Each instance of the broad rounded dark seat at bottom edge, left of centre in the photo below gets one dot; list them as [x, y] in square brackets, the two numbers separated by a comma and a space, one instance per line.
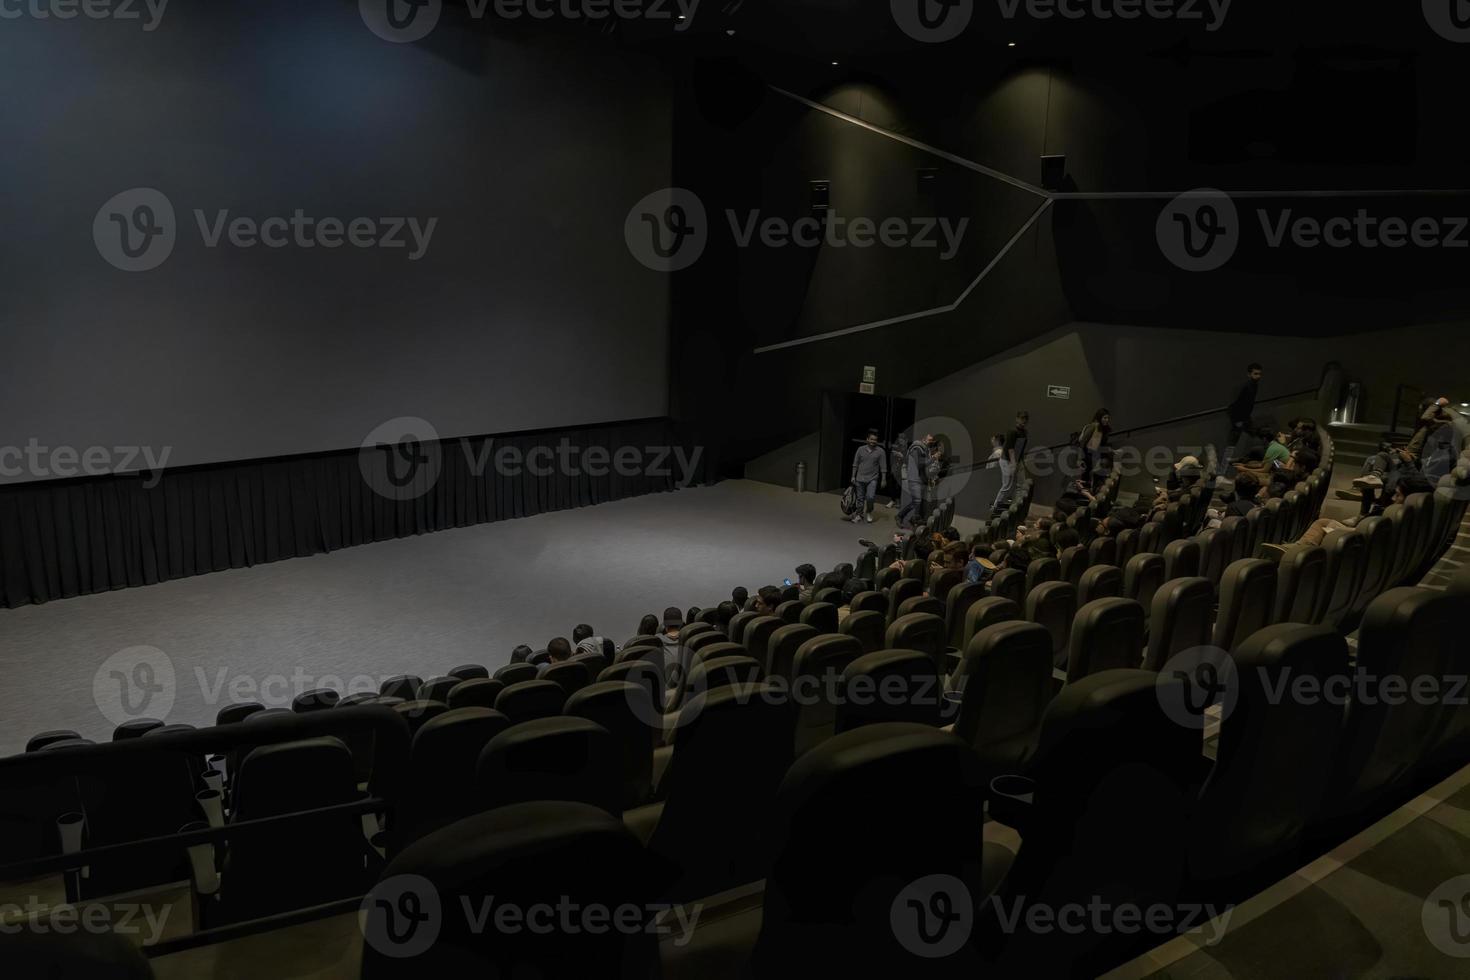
[524, 857]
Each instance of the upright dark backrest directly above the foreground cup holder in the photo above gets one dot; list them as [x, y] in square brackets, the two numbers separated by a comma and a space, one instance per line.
[1005, 684]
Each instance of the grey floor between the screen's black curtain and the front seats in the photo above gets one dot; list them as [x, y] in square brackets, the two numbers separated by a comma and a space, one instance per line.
[412, 606]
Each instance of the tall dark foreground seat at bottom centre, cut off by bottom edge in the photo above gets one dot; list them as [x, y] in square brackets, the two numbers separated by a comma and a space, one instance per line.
[836, 881]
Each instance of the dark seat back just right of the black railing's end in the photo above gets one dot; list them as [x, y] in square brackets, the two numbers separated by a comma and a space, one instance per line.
[440, 785]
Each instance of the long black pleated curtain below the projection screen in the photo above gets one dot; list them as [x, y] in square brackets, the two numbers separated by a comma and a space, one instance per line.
[65, 538]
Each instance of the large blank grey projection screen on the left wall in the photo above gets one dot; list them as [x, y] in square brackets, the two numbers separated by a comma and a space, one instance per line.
[361, 231]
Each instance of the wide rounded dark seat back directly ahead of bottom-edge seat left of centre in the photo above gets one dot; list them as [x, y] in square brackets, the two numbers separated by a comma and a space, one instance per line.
[552, 759]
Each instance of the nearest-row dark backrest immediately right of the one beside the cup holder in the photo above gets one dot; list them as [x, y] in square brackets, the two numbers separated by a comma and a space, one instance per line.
[1259, 799]
